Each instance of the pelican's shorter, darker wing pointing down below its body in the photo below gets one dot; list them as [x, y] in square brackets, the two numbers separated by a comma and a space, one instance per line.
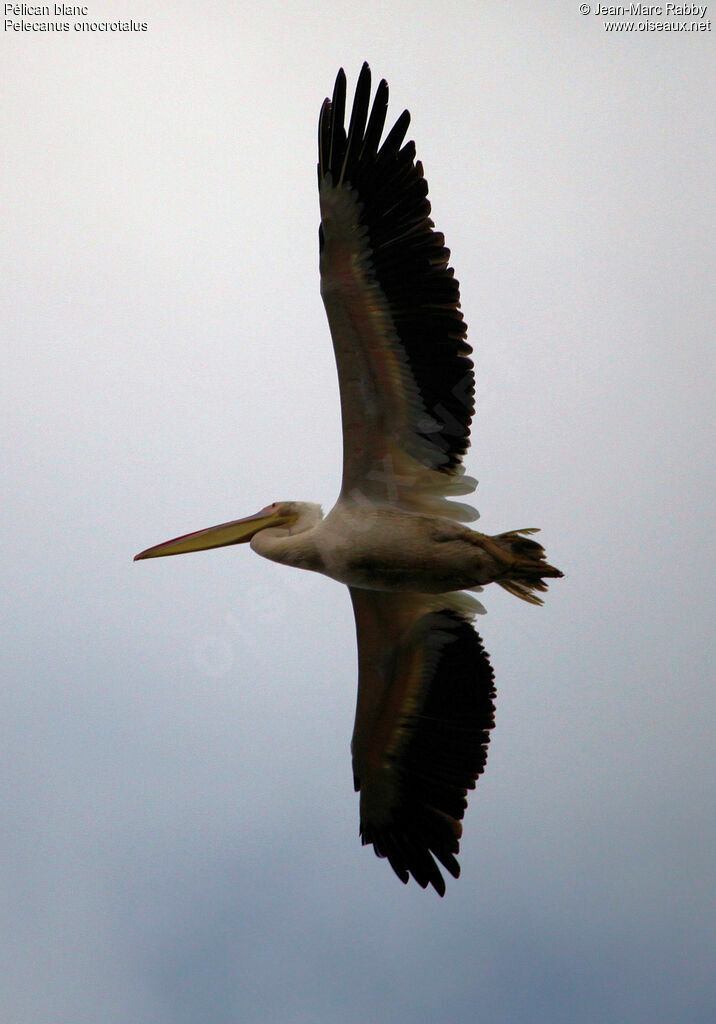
[423, 726]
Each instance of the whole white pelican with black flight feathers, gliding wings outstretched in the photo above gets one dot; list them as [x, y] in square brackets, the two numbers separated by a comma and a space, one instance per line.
[397, 536]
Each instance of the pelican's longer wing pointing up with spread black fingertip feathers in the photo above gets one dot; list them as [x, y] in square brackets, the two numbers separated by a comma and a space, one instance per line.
[406, 378]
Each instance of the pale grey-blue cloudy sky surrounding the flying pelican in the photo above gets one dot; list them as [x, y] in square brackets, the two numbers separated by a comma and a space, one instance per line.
[180, 839]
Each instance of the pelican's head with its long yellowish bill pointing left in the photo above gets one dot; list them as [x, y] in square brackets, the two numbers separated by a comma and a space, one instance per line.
[298, 517]
